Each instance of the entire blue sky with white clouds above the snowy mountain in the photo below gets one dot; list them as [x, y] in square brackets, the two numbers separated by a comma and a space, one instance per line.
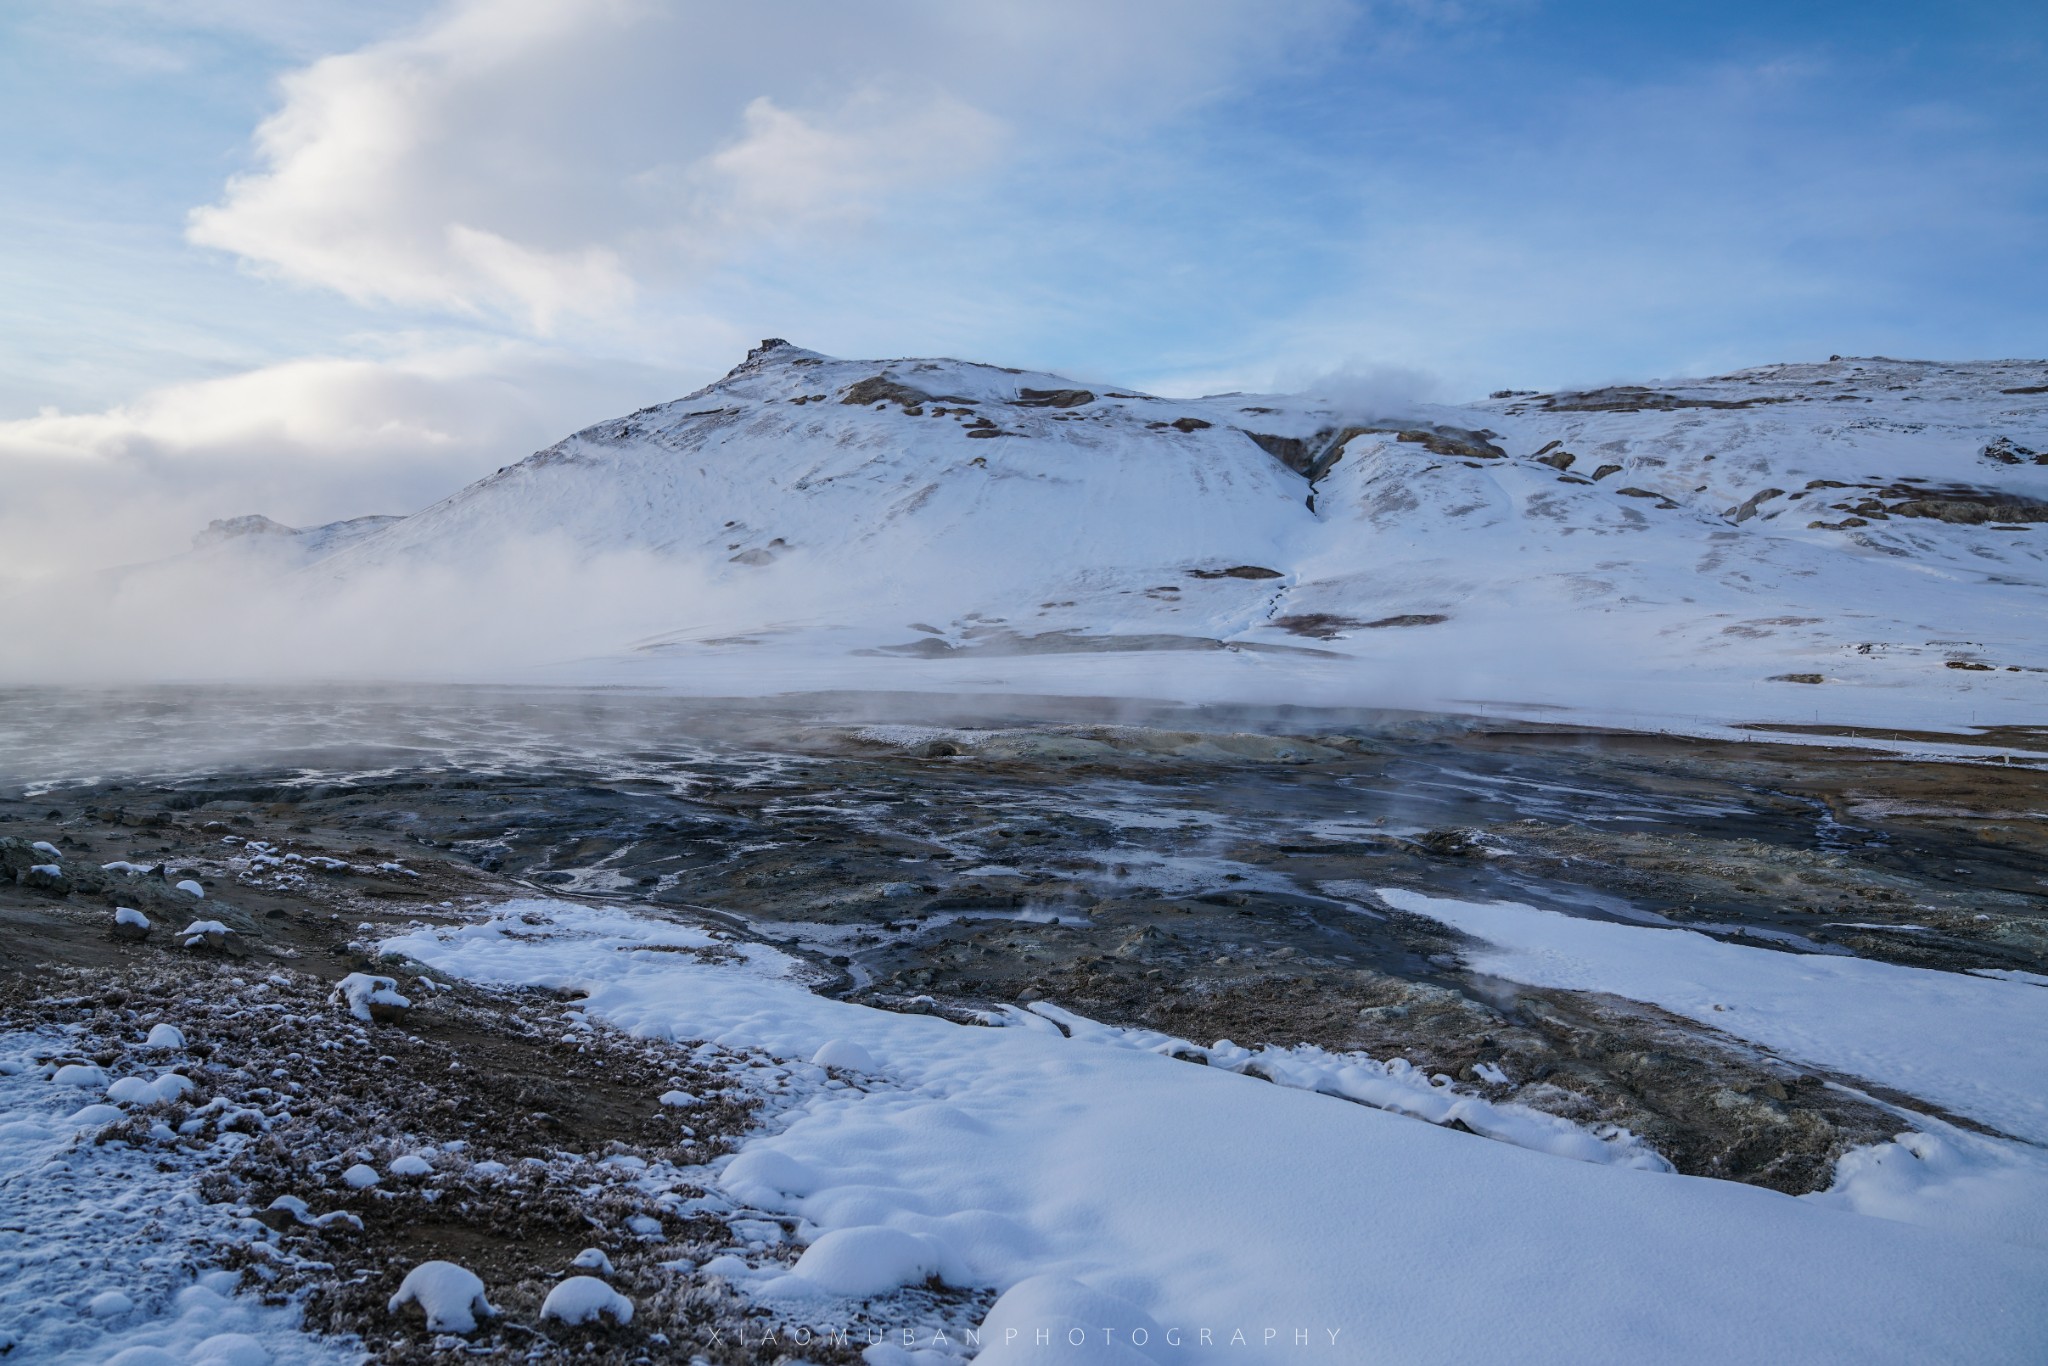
[507, 218]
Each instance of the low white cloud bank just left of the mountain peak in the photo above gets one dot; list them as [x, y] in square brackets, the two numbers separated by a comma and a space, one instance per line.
[306, 441]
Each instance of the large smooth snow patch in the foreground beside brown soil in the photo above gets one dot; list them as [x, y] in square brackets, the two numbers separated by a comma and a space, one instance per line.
[1215, 1201]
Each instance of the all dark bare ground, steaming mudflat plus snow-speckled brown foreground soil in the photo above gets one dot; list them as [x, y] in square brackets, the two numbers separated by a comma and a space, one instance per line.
[1160, 871]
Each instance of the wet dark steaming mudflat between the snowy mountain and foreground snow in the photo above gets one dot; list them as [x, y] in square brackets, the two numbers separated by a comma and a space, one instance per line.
[1168, 869]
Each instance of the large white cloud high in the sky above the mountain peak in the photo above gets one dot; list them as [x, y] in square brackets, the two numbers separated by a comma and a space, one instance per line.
[540, 161]
